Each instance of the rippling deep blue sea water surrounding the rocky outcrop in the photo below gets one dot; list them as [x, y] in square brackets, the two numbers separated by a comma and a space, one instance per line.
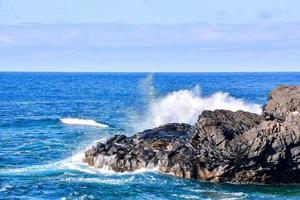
[40, 156]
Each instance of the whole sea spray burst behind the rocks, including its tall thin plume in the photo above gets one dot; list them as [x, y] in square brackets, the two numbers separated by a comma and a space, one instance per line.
[182, 106]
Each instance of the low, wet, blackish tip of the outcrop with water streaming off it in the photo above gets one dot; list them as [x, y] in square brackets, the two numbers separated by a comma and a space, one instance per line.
[143, 150]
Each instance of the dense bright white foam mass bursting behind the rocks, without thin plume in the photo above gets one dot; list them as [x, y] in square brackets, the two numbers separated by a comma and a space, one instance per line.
[184, 106]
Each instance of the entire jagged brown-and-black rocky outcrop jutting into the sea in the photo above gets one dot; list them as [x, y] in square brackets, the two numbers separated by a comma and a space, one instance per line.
[222, 146]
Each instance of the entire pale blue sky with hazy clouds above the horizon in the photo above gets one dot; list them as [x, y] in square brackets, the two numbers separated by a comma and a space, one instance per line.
[149, 35]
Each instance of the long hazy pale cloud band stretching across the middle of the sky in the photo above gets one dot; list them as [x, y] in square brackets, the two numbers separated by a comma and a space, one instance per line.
[117, 36]
